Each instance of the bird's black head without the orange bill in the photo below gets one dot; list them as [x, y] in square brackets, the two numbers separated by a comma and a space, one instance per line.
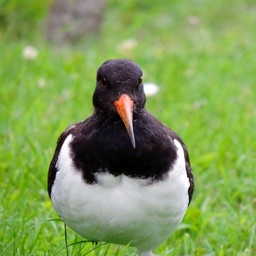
[114, 78]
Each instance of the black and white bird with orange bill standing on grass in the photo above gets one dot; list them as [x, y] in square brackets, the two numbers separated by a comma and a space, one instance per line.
[121, 176]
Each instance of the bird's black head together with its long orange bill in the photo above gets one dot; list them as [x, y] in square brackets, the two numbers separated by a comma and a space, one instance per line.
[119, 89]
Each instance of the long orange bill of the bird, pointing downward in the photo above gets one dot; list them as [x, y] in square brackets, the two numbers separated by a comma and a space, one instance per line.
[124, 107]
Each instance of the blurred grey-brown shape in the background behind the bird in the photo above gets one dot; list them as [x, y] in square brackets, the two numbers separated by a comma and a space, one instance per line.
[73, 20]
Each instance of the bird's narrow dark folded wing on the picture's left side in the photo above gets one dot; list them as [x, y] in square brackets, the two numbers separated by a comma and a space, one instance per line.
[52, 168]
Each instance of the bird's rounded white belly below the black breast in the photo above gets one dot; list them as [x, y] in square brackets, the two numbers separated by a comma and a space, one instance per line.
[120, 209]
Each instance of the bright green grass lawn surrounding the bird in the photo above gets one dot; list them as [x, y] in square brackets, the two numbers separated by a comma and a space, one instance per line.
[207, 79]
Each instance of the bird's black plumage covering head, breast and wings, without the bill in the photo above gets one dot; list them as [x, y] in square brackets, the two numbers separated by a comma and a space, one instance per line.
[101, 142]
